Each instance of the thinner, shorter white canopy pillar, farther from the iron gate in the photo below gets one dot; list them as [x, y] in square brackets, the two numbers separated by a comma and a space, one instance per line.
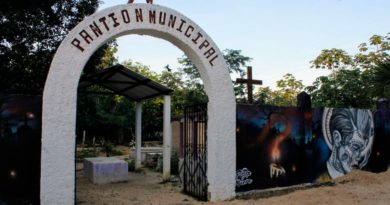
[138, 134]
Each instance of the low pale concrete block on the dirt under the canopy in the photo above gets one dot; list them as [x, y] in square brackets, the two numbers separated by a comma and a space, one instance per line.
[103, 170]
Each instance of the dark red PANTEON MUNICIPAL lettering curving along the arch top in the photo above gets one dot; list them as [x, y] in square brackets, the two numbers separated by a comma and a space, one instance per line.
[153, 17]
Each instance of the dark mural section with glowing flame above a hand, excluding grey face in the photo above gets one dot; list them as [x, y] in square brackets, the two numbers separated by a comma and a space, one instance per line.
[279, 146]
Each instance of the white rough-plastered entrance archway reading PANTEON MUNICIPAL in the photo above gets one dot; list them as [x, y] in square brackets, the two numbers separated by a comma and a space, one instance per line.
[60, 93]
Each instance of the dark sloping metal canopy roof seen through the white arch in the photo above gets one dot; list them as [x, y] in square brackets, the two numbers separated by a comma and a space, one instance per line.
[123, 81]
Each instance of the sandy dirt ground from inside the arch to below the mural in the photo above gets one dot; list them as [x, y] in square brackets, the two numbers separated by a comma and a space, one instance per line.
[145, 188]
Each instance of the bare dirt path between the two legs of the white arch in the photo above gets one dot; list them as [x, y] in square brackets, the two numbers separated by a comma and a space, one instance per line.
[142, 188]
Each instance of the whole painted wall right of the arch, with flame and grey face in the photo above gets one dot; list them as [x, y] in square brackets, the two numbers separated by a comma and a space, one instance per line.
[283, 146]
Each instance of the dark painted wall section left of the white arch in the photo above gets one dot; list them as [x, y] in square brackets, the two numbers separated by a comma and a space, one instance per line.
[20, 148]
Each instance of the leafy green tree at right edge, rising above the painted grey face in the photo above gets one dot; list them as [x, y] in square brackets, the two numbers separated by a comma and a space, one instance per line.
[357, 80]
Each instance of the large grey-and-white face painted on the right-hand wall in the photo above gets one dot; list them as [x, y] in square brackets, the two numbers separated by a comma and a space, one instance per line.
[349, 134]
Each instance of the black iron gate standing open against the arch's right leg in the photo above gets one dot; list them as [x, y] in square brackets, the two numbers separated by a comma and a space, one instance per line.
[195, 151]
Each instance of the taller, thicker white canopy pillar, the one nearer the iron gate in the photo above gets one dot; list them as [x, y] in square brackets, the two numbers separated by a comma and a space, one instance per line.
[167, 135]
